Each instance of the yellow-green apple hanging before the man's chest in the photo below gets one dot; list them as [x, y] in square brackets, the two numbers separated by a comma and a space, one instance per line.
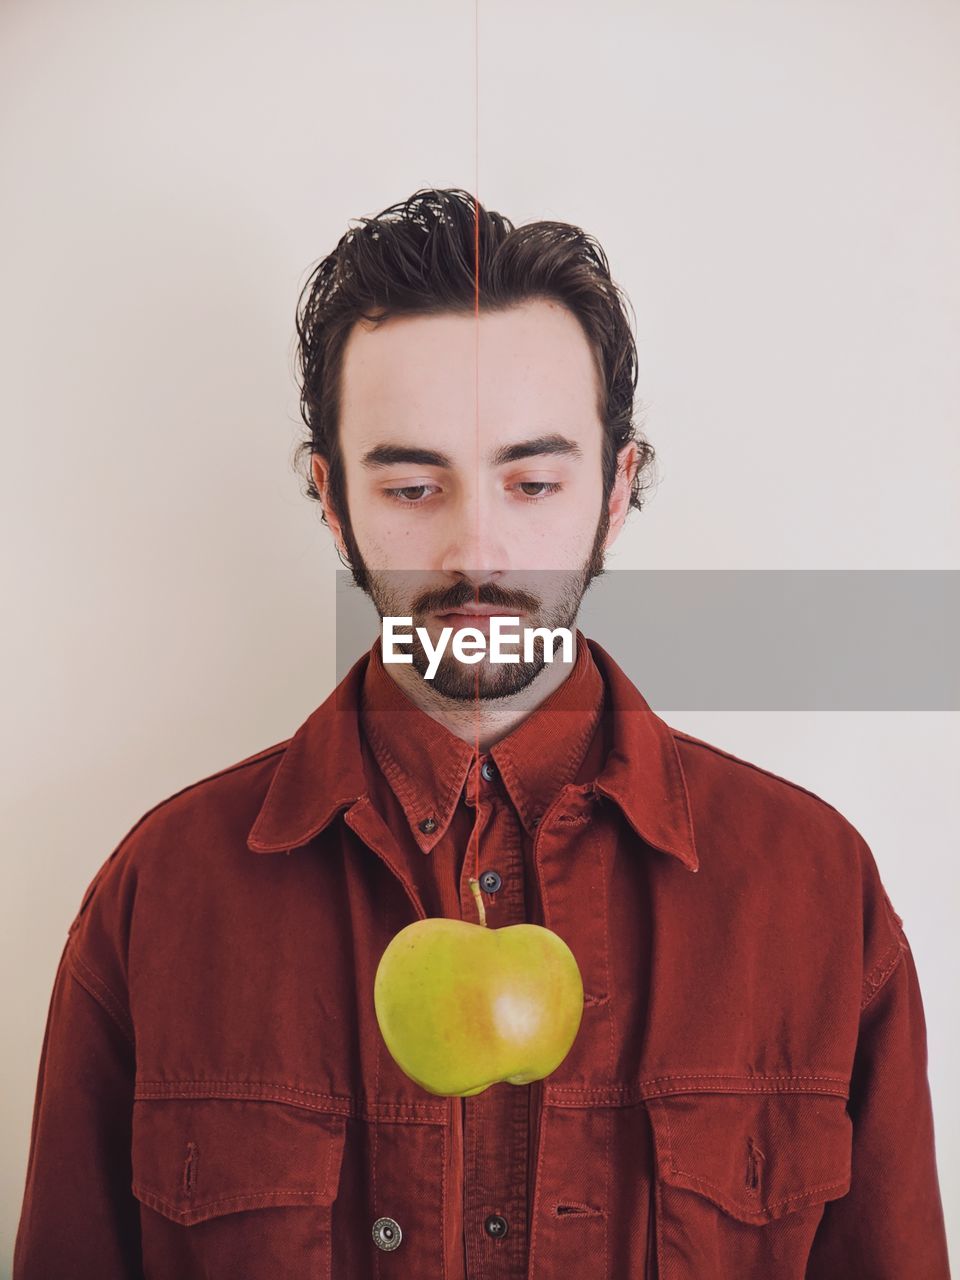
[463, 1007]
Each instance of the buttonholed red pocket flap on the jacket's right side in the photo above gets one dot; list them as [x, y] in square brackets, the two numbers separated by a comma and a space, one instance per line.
[757, 1156]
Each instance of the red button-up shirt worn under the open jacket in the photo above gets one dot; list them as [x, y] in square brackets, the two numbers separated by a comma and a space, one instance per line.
[420, 774]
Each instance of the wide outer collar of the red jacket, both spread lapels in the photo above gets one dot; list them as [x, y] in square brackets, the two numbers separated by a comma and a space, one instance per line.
[322, 770]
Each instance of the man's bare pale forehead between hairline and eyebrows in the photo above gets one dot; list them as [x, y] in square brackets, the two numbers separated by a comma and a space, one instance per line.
[528, 367]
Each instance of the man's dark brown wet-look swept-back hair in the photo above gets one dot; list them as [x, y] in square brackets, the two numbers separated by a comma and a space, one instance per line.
[442, 252]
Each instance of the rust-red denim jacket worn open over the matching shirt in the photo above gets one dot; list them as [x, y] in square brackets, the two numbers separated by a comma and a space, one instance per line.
[747, 1098]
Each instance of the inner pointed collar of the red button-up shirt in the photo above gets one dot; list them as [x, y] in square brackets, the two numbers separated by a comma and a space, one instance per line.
[428, 766]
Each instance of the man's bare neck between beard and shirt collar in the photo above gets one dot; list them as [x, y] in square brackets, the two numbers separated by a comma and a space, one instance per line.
[488, 720]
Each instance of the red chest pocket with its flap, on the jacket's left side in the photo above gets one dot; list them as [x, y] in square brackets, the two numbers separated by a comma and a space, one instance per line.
[236, 1188]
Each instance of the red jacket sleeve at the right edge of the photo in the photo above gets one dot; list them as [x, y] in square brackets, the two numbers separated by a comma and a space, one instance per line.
[890, 1226]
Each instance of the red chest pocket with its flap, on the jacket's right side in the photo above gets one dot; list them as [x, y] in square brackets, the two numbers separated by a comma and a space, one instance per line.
[743, 1182]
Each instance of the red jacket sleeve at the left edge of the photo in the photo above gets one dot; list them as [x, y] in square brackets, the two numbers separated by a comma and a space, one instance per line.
[80, 1218]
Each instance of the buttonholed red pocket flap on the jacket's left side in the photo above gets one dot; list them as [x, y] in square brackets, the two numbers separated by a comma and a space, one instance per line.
[196, 1159]
